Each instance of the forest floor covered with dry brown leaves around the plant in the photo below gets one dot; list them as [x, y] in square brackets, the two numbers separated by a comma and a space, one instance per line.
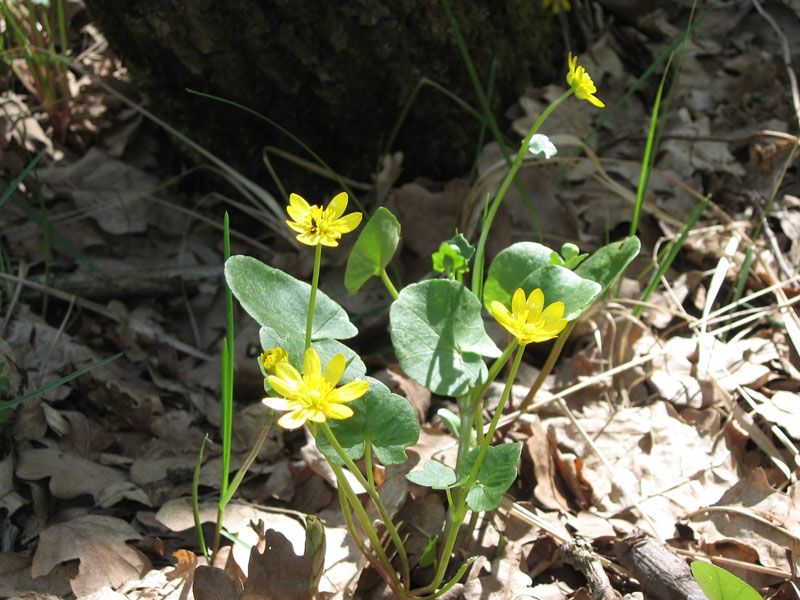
[679, 426]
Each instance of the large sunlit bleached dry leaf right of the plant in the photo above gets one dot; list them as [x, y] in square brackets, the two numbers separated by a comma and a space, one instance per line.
[665, 464]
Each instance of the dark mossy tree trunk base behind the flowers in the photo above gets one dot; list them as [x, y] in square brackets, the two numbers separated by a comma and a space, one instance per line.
[334, 74]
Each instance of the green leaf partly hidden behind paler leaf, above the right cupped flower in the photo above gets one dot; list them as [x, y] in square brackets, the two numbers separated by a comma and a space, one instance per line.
[510, 268]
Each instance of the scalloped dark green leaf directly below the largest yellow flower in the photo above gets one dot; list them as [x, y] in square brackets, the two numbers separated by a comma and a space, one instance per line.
[384, 419]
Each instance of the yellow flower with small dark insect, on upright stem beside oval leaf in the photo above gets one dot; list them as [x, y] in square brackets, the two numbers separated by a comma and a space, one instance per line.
[316, 225]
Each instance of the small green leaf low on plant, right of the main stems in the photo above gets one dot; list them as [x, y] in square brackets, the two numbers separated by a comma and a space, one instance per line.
[495, 475]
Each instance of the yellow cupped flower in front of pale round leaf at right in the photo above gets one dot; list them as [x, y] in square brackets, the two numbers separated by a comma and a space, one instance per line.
[528, 320]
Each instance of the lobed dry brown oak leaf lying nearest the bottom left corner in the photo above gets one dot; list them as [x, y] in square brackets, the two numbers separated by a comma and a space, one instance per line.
[98, 541]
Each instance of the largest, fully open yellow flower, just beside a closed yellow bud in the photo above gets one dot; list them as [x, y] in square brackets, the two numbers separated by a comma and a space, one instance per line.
[313, 396]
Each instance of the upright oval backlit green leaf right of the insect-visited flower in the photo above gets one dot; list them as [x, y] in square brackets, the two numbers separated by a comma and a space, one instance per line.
[373, 249]
